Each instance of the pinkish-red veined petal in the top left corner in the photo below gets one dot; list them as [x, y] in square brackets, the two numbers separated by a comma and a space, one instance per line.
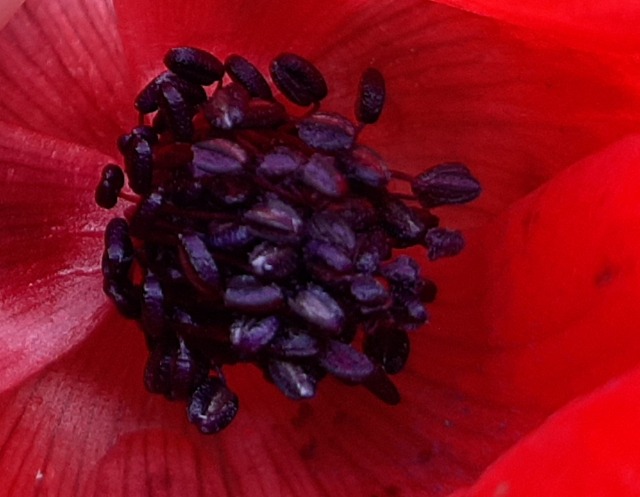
[62, 72]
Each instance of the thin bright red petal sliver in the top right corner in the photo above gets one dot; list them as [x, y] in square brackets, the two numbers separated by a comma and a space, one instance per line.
[595, 25]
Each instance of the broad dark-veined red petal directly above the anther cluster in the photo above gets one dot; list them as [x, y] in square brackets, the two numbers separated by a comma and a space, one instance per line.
[460, 87]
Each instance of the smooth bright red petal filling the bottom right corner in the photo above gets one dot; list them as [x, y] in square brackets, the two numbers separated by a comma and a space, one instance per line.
[588, 449]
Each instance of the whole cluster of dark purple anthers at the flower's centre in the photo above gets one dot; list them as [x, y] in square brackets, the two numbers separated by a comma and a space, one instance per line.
[256, 236]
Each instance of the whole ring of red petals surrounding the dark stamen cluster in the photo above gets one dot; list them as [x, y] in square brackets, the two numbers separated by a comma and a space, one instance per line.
[538, 315]
